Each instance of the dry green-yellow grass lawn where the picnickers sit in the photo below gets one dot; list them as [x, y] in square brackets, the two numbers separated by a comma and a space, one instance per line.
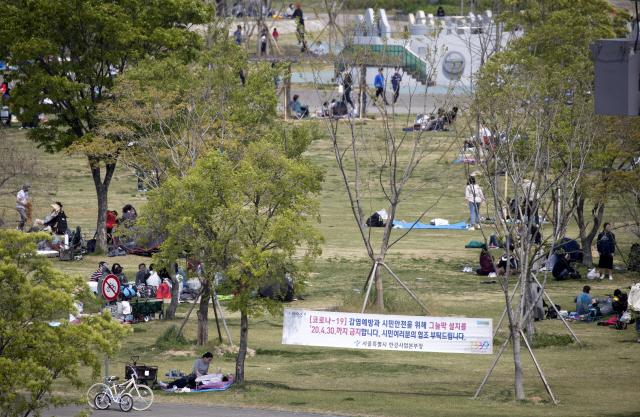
[597, 379]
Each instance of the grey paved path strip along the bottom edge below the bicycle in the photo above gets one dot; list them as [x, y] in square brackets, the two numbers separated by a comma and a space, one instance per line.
[173, 410]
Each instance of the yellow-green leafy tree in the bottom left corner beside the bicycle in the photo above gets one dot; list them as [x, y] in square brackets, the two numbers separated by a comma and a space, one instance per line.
[33, 354]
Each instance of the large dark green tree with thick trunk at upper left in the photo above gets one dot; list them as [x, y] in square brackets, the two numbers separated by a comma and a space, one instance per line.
[66, 52]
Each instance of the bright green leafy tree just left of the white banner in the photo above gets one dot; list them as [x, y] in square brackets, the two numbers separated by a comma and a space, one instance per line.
[243, 215]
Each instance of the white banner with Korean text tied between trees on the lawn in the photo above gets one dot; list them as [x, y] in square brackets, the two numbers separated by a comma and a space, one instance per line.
[377, 331]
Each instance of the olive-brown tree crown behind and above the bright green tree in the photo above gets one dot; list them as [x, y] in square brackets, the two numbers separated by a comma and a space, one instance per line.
[172, 113]
